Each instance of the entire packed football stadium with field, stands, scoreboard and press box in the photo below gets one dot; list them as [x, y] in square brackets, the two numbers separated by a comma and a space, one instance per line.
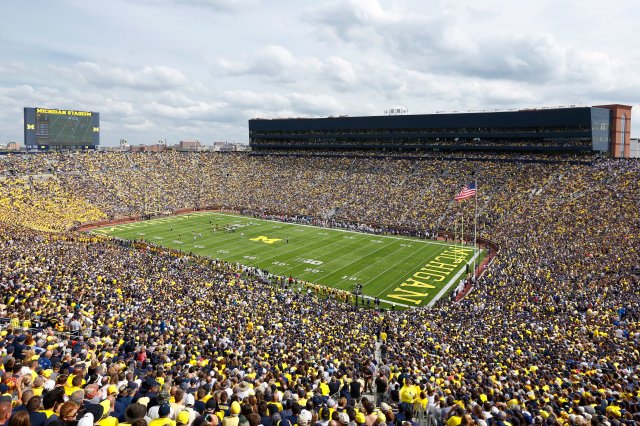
[427, 270]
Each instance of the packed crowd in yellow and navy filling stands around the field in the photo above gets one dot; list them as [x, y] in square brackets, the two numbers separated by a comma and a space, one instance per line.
[549, 335]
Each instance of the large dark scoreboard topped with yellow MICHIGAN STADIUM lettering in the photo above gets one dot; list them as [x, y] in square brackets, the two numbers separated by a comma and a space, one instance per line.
[54, 129]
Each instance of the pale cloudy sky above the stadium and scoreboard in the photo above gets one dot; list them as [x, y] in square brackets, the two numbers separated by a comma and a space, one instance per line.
[199, 69]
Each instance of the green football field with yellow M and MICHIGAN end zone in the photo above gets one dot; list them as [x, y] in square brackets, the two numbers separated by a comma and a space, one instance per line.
[404, 271]
